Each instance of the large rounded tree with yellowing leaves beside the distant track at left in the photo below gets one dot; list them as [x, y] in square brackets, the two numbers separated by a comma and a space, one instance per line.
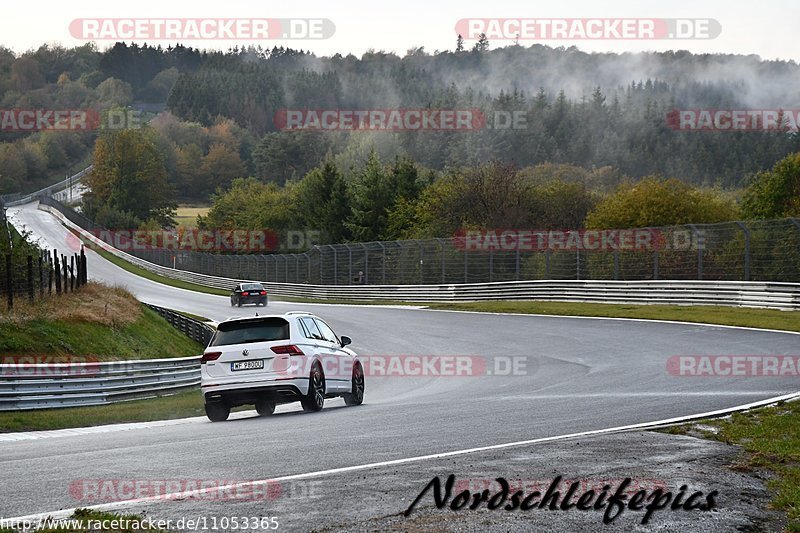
[129, 176]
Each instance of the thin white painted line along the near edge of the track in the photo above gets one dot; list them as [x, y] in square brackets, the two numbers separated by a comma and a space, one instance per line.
[65, 513]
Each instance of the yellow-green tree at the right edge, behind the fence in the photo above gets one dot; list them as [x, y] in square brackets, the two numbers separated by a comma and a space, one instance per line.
[775, 193]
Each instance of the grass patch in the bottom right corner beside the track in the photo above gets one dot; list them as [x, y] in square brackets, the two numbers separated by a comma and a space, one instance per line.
[770, 440]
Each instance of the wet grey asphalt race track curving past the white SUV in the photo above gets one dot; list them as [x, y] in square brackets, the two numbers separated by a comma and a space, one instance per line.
[580, 375]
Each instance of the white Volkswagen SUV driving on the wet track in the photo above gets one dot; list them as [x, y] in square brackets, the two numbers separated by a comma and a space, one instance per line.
[272, 359]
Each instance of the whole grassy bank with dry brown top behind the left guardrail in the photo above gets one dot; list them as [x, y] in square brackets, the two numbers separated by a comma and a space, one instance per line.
[106, 323]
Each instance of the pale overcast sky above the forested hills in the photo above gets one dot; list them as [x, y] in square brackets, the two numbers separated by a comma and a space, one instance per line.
[767, 28]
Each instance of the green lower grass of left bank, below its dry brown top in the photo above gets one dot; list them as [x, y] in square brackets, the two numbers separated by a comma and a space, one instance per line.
[148, 337]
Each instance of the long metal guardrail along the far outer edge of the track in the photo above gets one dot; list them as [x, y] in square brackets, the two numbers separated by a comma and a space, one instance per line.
[684, 292]
